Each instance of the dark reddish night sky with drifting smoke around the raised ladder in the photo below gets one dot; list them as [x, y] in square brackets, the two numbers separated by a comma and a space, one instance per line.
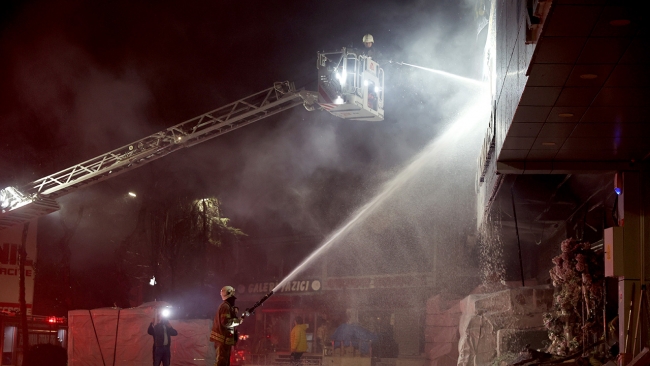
[80, 78]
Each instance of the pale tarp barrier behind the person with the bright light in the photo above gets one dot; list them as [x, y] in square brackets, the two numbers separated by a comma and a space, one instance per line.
[118, 337]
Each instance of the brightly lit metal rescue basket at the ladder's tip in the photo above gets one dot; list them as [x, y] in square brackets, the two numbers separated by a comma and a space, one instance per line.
[350, 85]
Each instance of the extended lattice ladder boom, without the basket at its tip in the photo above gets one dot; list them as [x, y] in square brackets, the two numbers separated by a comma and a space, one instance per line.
[19, 205]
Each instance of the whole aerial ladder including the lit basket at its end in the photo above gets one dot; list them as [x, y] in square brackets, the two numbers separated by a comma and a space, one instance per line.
[350, 86]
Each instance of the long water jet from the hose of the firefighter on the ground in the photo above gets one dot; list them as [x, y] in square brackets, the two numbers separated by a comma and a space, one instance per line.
[470, 119]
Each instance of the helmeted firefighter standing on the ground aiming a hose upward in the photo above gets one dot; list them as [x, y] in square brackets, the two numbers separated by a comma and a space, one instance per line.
[223, 327]
